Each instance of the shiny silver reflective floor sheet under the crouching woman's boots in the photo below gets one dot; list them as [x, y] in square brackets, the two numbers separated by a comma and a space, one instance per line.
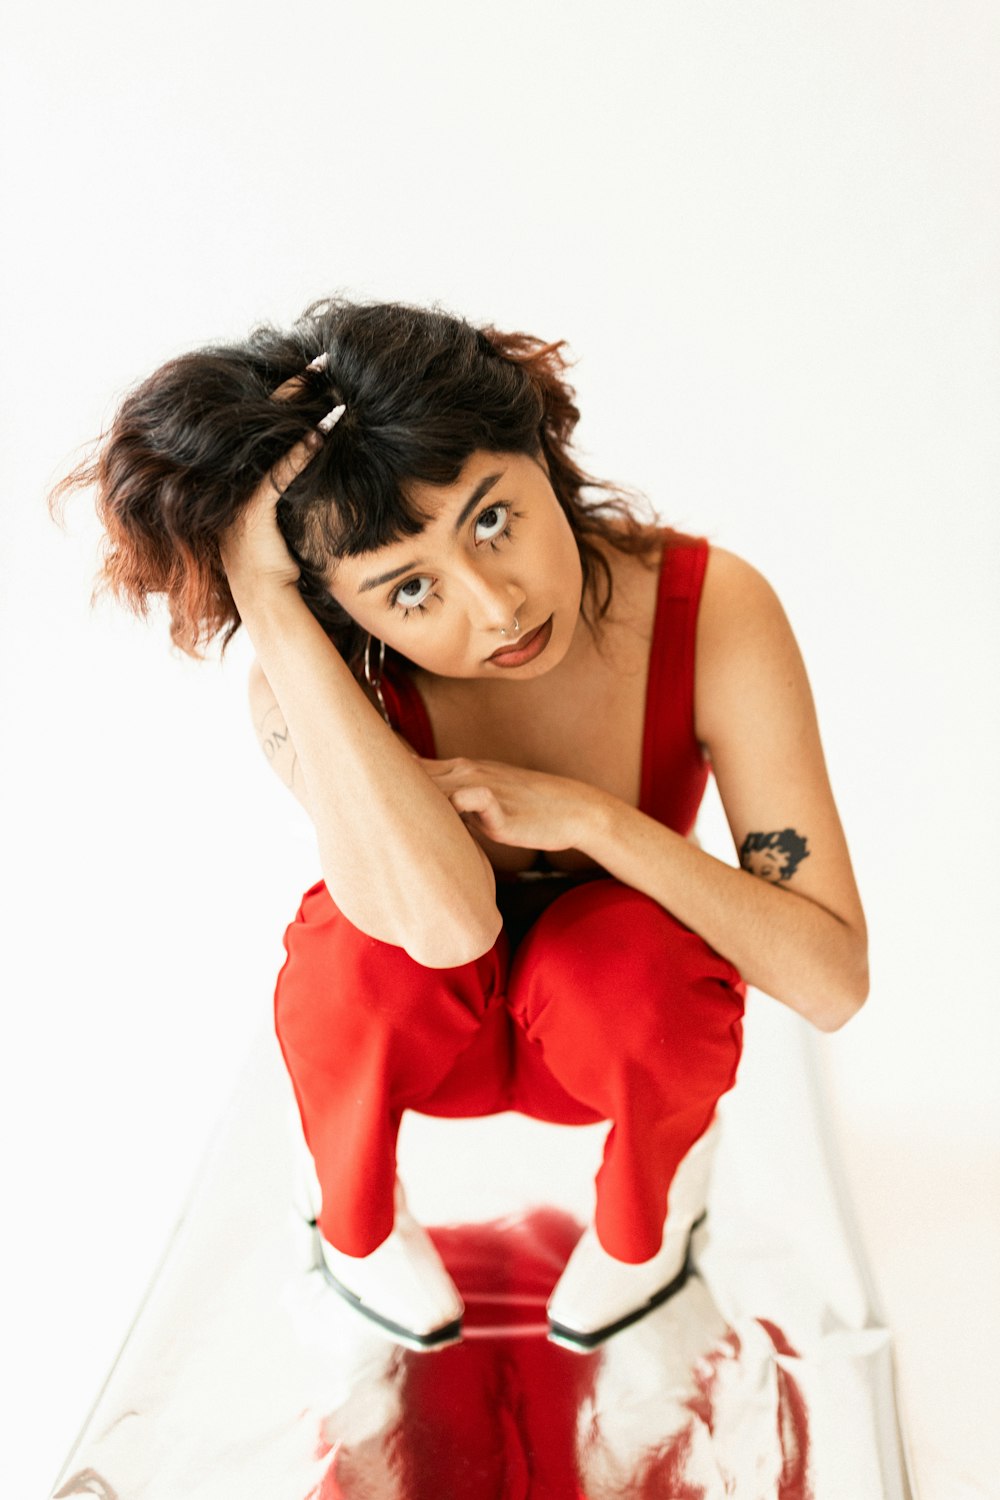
[768, 1375]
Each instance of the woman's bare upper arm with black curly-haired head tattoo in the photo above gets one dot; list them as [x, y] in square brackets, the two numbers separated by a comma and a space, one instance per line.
[755, 713]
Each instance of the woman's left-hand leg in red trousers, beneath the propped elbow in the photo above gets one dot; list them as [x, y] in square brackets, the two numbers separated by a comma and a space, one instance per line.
[367, 1033]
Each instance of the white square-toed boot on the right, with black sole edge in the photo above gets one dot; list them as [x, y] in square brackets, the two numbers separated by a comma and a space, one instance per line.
[599, 1295]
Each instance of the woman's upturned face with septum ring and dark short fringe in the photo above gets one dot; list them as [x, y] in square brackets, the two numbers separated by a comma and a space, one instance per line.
[499, 547]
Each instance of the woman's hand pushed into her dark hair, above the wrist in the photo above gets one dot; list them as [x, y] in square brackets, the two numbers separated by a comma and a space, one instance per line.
[253, 550]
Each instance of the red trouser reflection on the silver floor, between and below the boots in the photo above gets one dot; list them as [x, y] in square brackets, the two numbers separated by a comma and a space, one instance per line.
[494, 1417]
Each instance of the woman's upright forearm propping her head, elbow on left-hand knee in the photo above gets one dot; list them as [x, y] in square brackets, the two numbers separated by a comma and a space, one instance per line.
[395, 856]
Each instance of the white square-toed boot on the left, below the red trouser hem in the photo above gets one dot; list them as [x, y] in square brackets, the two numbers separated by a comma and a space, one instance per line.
[403, 1285]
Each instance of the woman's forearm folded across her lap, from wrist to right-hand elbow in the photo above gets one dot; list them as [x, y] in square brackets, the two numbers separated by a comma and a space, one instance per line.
[782, 943]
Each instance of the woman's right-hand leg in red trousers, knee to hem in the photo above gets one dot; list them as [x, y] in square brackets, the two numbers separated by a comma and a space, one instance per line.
[642, 1022]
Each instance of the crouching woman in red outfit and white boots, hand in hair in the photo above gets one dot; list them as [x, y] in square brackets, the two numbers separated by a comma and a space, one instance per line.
[499, 701]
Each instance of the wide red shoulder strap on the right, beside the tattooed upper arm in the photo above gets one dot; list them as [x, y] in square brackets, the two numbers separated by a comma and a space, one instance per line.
[674, 772]
